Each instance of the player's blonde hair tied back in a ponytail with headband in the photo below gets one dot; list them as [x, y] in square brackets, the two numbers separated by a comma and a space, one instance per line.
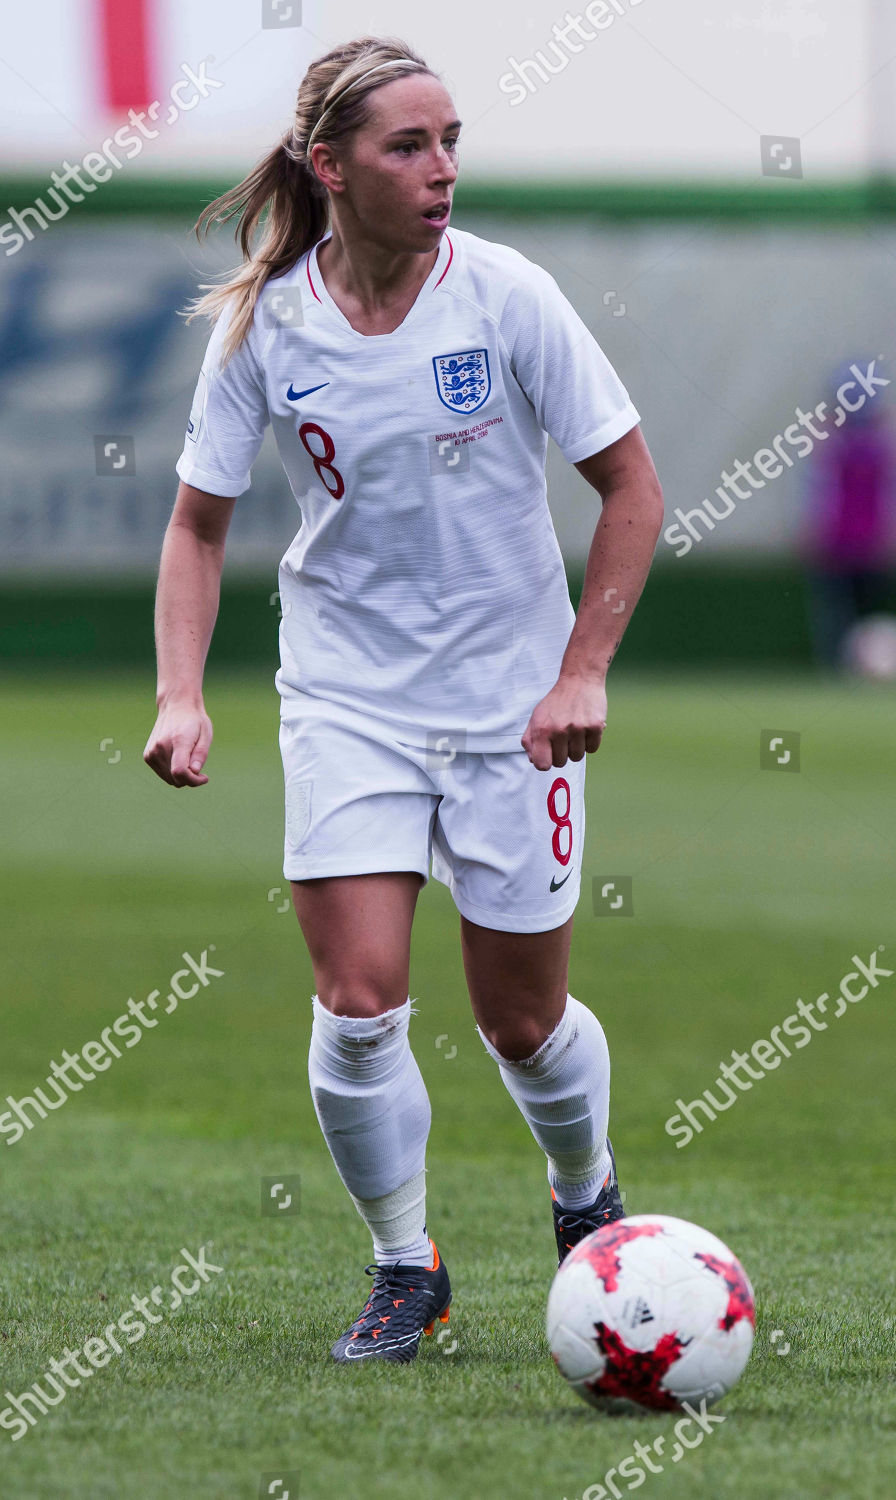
[283, 197]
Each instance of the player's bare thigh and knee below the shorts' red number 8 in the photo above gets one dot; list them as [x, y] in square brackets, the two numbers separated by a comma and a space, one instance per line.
[519, 985]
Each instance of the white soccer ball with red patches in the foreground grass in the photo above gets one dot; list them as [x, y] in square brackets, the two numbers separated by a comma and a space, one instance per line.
[651, 1312]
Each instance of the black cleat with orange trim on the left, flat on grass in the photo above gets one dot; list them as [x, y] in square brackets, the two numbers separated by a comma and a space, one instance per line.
[404, 1303]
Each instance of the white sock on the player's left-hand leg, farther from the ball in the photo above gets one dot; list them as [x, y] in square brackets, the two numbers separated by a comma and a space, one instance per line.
[374, 1111]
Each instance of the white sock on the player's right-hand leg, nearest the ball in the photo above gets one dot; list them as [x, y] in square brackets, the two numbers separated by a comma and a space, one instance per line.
[564, 1094]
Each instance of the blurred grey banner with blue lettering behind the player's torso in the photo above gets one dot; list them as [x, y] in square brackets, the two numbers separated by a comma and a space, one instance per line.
[98, 371]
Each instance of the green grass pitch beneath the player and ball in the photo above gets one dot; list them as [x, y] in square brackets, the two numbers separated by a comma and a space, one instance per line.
[753, 889]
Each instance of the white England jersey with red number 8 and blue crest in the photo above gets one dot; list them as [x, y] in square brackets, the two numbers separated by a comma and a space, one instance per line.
[425, 586]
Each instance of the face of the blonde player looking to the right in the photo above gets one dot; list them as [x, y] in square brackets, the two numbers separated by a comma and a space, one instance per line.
[403, 164]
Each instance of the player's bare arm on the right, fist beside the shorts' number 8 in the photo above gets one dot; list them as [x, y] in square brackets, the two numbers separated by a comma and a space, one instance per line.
[571, 719]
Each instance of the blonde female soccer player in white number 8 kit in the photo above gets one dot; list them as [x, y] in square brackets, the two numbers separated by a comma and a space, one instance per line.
[439, 694]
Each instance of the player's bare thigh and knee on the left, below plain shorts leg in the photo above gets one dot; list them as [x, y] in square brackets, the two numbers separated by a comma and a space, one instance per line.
[358, 929]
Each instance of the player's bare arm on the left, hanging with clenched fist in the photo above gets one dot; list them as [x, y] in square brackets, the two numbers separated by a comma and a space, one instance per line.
[187, 607]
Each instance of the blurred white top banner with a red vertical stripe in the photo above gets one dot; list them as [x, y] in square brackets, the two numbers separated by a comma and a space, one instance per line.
[592, 89]
